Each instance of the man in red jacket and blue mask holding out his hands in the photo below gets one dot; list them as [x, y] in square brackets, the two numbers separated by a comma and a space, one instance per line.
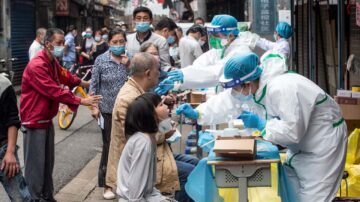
[41, 93]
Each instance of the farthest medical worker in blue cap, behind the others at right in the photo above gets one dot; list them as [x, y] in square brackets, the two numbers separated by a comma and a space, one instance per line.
[283, 32]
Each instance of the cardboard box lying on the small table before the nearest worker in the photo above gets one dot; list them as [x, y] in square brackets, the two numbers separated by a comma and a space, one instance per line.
[241, 148]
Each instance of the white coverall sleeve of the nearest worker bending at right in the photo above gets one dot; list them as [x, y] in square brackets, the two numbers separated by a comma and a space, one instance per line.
[290, 116]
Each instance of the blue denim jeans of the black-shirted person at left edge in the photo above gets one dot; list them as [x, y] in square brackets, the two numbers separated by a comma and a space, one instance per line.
[15, 187]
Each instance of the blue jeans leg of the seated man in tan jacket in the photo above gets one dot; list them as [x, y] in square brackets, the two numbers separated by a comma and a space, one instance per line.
[185, 165]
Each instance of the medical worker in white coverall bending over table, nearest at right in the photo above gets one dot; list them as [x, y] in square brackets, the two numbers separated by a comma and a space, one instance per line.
[303, 118]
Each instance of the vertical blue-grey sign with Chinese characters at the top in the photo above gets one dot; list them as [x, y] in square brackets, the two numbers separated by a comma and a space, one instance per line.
[264, 16]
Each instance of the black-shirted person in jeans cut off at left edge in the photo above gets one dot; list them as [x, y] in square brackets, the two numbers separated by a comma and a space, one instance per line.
[10, 174]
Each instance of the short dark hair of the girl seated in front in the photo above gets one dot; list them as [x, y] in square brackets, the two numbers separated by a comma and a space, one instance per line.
[141, 115]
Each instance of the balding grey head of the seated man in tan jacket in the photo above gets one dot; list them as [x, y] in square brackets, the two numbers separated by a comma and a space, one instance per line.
[141, 62]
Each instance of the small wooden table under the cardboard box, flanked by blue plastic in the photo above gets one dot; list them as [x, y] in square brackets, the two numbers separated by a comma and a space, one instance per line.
[243, 174]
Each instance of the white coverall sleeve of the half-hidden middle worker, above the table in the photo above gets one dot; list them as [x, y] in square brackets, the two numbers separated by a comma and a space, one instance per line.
[217, 109]
